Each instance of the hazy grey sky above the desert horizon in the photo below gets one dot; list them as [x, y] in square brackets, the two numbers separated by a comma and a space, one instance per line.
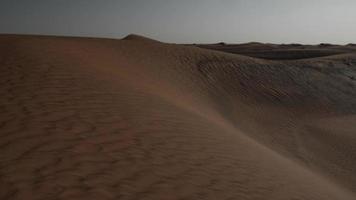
[186, 21]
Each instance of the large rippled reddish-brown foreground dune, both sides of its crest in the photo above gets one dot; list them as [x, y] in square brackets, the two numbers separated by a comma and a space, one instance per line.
[138, 119]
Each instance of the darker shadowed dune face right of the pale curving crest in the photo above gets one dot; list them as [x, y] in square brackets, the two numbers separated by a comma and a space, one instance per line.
[281, 104]
